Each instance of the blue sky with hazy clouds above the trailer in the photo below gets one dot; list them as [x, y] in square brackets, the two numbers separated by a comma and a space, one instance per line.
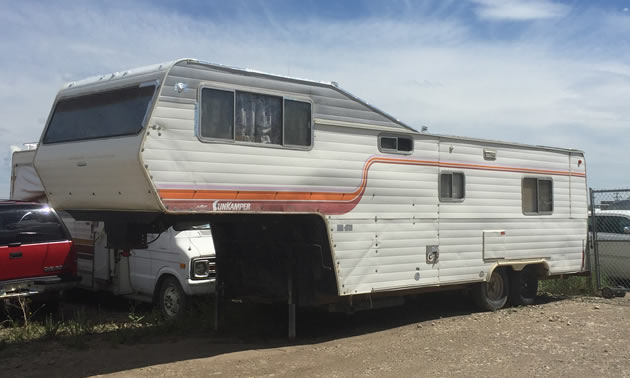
[540, 71]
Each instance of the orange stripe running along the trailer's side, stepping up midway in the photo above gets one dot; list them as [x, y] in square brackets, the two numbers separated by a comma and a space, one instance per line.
[338, 196]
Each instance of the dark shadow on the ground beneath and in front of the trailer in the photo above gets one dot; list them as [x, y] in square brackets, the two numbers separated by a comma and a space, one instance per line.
[244, 327]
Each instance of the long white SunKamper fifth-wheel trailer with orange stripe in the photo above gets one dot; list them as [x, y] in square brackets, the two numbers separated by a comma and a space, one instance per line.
[315, 197]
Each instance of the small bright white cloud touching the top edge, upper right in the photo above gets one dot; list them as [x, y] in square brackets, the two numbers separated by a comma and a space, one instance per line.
[519, 10]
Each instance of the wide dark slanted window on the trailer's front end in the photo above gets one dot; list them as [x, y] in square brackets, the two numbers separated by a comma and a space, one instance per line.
[99, 115]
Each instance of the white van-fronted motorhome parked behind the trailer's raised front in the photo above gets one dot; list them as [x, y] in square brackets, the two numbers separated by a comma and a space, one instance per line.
[177, 264]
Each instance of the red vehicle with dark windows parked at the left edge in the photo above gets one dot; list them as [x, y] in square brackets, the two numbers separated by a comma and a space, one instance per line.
[36, 253]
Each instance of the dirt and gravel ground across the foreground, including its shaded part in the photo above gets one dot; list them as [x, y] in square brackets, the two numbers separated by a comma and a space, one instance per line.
[434, 336]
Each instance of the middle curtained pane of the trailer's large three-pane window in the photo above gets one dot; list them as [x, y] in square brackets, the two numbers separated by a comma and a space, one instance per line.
[258, 118]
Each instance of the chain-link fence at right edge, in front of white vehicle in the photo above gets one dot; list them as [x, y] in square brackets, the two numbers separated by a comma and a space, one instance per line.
[609, 226]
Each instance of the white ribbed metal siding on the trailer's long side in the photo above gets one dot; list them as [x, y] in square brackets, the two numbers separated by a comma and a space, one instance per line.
[381, 243]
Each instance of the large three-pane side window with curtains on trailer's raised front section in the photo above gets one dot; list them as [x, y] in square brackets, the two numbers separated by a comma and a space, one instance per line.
[254, 118]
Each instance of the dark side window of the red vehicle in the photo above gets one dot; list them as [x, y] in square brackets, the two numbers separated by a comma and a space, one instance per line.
[28, 225]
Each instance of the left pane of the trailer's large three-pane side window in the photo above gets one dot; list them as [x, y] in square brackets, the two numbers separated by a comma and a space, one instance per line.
[217, 114]
